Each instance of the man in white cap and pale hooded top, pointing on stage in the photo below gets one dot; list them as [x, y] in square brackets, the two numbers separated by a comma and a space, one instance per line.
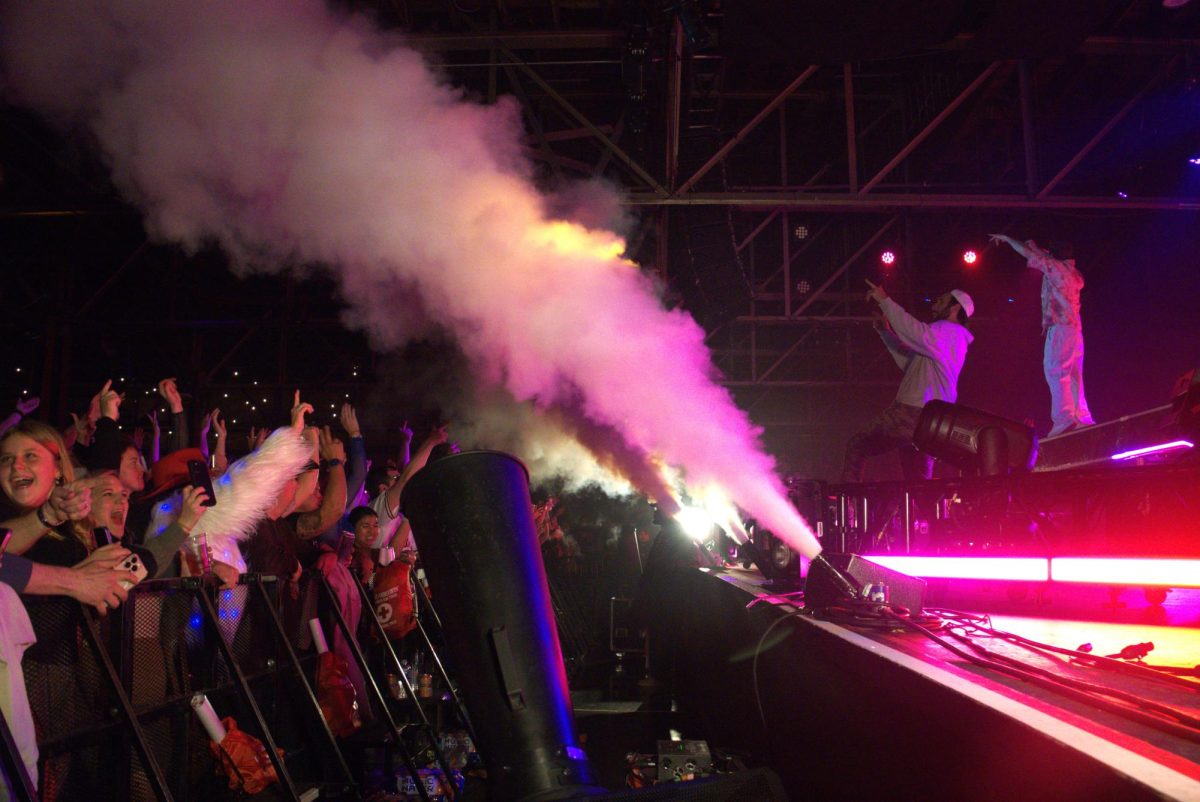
[932, 357]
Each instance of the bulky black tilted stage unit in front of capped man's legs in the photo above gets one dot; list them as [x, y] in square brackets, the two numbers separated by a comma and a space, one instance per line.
[976, 441]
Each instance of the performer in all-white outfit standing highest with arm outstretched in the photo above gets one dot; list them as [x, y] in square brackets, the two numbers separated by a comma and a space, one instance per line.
[1064, 332]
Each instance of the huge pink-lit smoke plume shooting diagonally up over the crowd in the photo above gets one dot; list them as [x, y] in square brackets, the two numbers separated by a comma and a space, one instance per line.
[289, 136]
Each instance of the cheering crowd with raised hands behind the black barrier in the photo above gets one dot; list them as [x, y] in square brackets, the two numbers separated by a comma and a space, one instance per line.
[81, 501]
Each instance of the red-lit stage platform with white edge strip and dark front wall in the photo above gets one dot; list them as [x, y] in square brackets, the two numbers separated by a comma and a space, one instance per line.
[953, 729]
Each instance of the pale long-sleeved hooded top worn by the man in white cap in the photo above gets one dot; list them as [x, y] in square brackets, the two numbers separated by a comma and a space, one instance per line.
[931, 355]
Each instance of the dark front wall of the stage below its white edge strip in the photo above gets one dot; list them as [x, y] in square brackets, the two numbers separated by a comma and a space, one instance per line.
[844, 723]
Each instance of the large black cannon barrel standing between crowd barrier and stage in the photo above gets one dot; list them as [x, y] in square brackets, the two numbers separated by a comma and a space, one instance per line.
[473, 522]
